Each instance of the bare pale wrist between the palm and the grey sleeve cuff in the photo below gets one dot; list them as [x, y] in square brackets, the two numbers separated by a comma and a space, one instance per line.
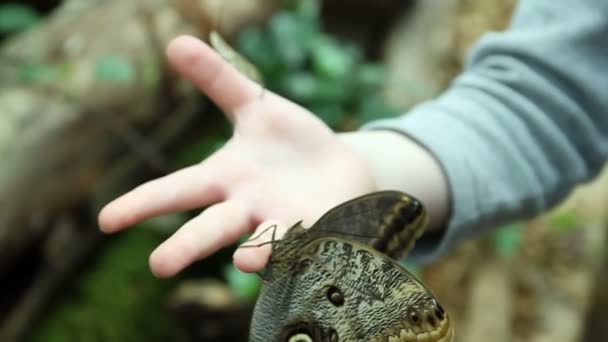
[399, 163]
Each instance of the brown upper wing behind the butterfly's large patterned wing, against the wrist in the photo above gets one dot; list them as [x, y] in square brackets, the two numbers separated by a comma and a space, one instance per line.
[389, 221]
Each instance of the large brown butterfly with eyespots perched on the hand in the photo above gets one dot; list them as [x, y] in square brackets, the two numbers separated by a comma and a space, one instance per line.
[339, 280]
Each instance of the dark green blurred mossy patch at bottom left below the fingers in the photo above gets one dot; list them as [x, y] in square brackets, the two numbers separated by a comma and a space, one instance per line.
[116, 299]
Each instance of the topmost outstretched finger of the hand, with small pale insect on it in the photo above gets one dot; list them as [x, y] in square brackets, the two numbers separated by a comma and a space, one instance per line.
[204, 67]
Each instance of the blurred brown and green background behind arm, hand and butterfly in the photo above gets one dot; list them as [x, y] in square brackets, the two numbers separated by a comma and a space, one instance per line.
[89, 109]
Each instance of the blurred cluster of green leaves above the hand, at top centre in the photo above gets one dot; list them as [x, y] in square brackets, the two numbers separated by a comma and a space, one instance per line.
[309, 66]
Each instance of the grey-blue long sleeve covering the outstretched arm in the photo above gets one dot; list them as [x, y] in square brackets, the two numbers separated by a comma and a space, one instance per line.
[524, 123]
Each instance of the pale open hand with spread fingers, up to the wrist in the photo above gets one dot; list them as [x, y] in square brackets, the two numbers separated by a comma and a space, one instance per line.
[281, 165]
